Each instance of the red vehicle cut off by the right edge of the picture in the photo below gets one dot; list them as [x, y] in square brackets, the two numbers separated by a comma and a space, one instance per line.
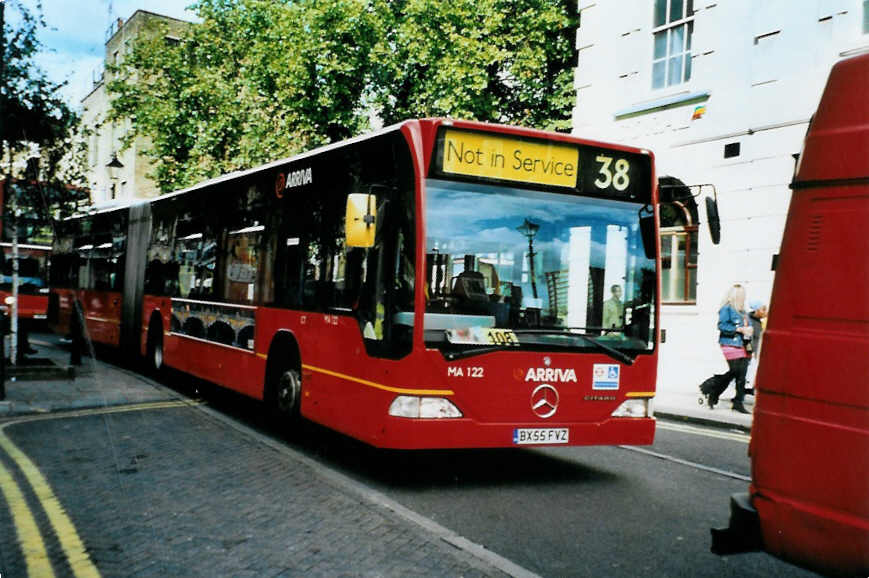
[809, 498]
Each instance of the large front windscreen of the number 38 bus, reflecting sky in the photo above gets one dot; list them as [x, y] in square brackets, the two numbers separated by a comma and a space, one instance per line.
[535, 268]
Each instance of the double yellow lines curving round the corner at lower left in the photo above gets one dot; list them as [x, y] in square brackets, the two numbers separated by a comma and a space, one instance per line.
[29, 537]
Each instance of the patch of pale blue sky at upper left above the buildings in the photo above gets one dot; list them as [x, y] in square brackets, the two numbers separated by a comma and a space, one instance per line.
[76, 35]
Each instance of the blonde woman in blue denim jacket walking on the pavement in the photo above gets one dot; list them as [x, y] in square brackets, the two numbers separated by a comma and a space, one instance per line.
[734, 330]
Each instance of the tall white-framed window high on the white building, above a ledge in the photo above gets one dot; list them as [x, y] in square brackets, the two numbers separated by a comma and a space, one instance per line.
[672, 28]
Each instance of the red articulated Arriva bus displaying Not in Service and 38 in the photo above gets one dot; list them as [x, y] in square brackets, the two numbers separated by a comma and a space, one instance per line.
[437, 284]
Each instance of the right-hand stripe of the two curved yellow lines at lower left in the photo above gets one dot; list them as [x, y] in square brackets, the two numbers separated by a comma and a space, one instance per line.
[70, 542]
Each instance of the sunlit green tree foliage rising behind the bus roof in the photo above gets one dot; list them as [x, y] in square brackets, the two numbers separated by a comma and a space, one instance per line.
[258, 80]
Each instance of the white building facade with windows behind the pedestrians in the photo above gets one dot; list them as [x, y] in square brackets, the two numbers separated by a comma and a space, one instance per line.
[722, 93]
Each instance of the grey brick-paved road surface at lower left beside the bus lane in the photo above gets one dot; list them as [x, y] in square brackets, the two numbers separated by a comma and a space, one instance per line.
[174, 491]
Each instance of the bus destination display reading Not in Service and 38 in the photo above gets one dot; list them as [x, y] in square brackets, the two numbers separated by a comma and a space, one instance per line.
[550, 165]
